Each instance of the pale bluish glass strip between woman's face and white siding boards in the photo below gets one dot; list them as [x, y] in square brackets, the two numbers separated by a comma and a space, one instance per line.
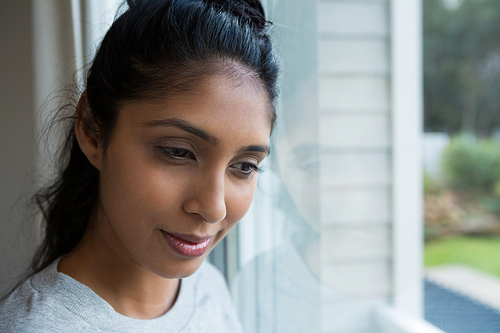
[276, 287]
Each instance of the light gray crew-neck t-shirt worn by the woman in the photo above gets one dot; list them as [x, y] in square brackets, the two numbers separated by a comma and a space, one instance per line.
[51, 301]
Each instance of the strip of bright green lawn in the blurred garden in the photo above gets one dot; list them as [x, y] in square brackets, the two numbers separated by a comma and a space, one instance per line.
[481, 253]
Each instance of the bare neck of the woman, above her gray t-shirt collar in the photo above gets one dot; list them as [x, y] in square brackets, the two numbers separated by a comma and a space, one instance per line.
[112, 273]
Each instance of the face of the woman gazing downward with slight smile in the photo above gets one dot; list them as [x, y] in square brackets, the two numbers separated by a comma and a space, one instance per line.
[178, 174]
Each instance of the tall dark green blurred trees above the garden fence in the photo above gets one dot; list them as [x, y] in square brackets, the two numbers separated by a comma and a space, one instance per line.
[462, 66]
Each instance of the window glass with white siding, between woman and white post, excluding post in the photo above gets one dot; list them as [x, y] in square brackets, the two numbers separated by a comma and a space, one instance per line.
[314, 249]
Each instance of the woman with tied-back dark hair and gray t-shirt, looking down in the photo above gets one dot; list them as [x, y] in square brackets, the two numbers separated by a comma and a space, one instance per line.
[160, 162]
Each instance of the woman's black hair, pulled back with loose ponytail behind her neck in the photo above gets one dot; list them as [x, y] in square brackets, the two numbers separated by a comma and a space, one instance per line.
[155, 48]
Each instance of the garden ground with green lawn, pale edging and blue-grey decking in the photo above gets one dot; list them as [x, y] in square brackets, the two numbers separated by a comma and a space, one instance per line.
[462, 284]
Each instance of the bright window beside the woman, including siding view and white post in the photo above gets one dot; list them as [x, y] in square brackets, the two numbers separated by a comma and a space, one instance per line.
[332, 242]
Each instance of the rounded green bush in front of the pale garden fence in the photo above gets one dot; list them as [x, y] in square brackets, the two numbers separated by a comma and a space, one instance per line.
[471, 164]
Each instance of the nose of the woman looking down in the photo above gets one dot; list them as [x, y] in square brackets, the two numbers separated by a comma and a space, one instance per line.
[207, 198]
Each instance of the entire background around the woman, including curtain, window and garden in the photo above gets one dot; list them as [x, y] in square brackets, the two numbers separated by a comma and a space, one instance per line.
[379, 210]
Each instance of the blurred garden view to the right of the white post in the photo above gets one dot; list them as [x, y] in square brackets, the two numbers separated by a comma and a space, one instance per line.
[462, 163]
